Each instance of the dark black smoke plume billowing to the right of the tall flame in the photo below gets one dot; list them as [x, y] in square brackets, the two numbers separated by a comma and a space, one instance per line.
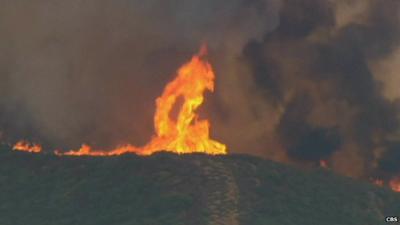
[323, 66]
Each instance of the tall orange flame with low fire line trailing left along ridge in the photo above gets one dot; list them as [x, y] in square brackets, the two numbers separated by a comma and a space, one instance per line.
[186, 134]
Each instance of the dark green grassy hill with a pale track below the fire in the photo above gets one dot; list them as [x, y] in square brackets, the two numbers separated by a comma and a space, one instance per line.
[167, 189]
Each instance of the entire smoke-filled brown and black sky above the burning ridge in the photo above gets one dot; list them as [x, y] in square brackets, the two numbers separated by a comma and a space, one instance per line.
[297, 80]
